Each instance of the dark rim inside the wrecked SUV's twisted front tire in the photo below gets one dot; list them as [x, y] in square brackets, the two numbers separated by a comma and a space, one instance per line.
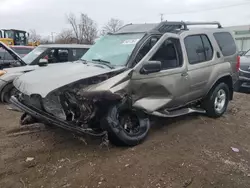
[130, 123]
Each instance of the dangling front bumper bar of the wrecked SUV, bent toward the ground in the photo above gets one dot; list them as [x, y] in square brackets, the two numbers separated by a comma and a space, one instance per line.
[46, 118]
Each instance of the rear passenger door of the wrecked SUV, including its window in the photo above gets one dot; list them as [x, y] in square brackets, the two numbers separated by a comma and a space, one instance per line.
[201, 58]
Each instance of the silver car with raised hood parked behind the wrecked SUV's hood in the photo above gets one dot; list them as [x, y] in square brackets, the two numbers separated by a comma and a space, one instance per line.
[38, 58]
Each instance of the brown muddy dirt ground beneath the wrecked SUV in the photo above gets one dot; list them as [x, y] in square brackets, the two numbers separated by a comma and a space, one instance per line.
[191, 151]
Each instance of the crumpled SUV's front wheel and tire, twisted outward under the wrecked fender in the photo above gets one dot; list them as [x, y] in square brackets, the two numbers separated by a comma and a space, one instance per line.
[131, 133]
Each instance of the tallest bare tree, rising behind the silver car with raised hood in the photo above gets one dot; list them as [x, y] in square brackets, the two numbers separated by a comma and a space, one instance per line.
[85, 31]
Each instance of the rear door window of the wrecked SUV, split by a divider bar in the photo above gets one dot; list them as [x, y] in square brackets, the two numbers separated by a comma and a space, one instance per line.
[198, 49]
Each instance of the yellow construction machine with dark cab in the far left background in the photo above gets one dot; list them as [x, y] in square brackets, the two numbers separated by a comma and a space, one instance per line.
[16, 37]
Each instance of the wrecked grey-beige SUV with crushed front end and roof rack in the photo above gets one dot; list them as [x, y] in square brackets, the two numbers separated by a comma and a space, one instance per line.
[165, 69]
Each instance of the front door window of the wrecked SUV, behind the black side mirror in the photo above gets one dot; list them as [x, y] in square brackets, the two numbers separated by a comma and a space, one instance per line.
[169, 54]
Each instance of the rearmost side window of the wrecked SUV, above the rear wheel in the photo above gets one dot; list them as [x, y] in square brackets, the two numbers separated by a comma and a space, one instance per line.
[226, 43]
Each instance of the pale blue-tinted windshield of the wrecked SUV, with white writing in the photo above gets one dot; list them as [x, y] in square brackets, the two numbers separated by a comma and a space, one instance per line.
[115, 49]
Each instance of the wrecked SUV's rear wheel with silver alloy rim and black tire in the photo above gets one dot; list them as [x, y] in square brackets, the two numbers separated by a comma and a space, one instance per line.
[217, 101]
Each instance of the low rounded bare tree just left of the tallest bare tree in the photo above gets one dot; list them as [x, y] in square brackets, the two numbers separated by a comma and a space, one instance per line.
[65, 37]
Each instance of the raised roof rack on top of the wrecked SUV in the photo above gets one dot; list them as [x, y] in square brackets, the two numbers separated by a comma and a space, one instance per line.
[167, 26]
